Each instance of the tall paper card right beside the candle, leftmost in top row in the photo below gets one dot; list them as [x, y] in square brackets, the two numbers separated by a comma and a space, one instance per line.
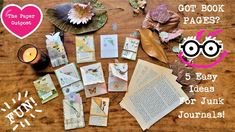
[56, 50]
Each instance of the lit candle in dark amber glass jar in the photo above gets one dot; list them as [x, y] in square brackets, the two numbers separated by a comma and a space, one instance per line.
[30, 54]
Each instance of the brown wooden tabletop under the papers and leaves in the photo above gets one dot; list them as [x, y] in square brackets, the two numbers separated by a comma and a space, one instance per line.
[17, 77]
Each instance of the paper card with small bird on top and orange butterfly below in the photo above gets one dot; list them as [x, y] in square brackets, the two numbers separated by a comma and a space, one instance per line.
[93, 80]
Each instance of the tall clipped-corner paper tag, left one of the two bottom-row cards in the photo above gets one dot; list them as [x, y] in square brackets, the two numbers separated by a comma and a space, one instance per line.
[73, 112]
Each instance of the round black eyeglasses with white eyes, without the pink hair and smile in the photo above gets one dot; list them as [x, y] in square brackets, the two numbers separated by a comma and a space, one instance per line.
[210, 48]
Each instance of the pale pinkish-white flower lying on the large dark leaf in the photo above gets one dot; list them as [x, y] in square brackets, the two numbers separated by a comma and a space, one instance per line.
[80, 13]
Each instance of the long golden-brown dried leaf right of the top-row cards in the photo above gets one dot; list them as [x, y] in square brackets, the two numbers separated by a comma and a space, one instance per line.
[152, 45]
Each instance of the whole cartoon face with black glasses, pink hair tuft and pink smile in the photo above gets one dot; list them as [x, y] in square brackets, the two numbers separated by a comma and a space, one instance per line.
[210, 48]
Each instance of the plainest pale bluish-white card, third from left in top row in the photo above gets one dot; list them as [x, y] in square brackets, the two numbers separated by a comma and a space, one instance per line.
[109, 46]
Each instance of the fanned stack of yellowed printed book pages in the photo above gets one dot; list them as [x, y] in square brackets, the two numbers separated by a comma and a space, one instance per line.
[152, 93]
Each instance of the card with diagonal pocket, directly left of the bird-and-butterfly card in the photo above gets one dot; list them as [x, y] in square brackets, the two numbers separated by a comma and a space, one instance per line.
[69, 79]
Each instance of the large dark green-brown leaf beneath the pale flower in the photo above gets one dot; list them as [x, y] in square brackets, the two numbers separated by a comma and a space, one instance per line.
[60, 18]
